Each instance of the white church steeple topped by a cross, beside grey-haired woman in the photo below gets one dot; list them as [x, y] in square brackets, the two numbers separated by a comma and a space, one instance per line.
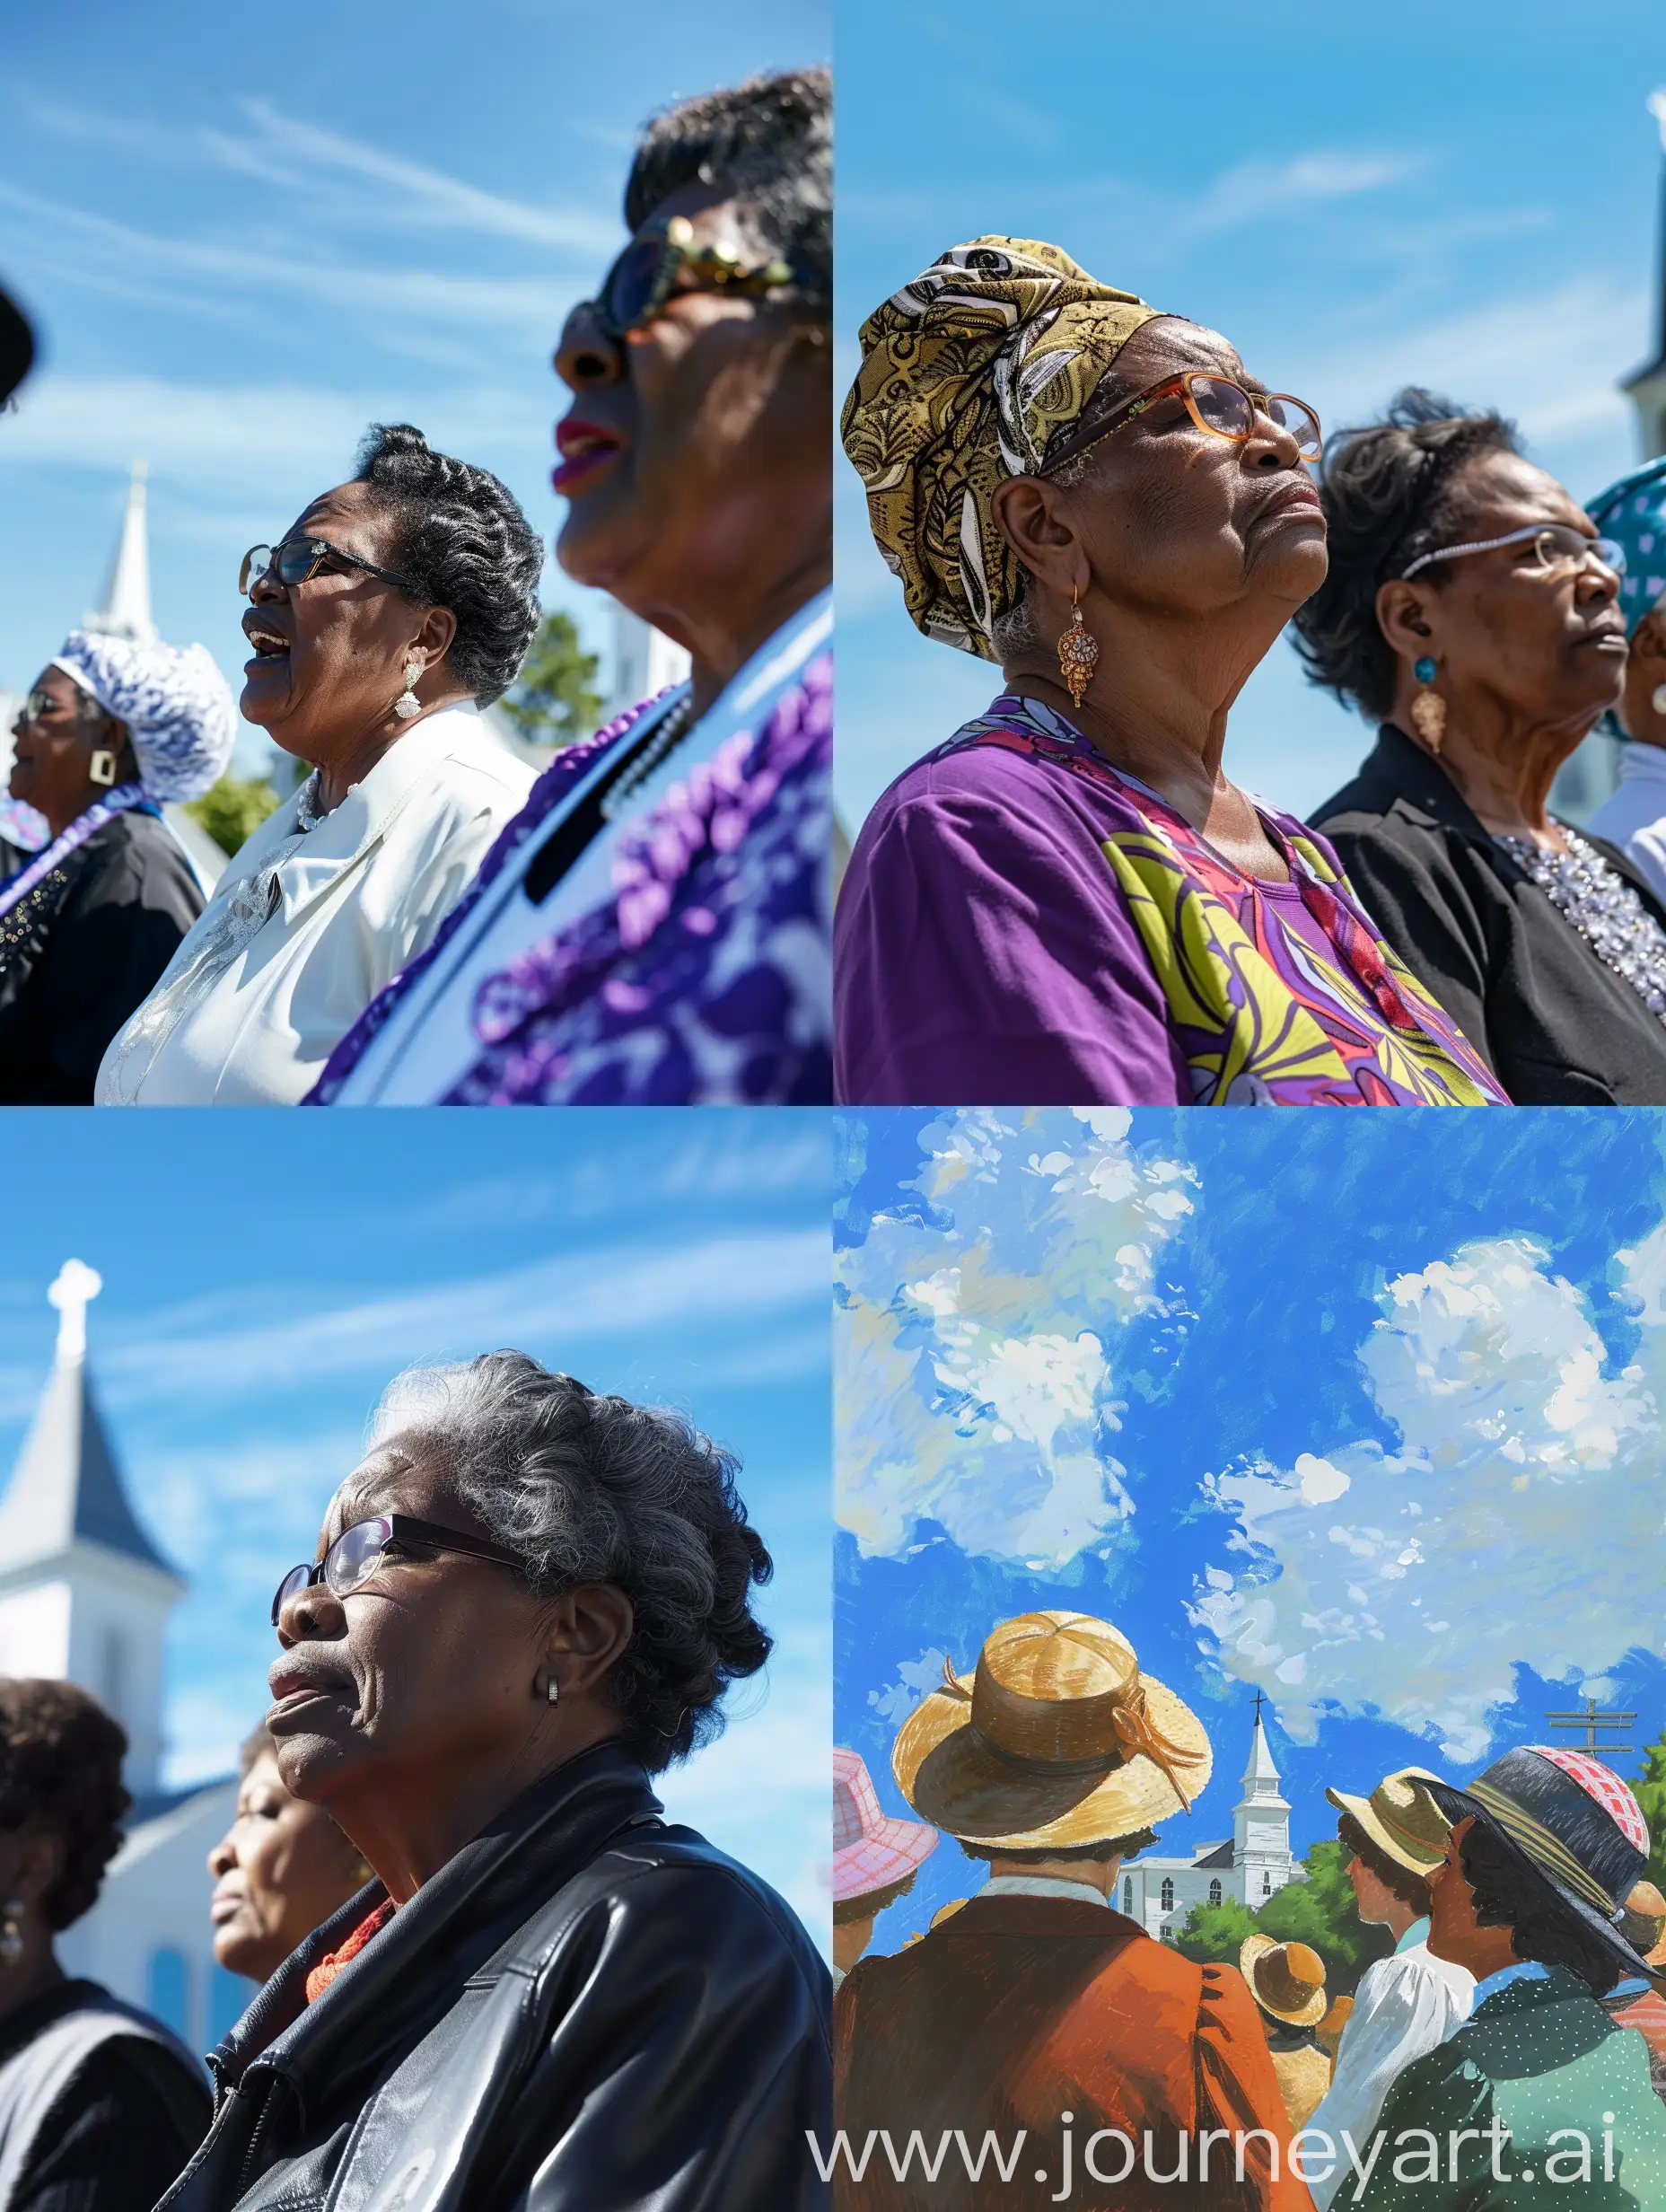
[85, 1594]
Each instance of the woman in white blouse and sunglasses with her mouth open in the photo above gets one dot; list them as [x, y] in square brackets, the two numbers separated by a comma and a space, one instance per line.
[393, 612]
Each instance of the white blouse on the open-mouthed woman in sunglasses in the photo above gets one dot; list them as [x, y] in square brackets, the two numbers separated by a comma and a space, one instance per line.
[313, 919]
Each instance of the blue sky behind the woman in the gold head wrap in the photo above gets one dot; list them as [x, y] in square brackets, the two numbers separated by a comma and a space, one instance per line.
[1452, 196]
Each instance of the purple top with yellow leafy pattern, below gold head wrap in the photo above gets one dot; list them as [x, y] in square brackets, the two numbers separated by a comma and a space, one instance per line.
[1028, 926]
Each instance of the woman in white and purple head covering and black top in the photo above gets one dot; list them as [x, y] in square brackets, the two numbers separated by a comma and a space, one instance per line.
[90, 924]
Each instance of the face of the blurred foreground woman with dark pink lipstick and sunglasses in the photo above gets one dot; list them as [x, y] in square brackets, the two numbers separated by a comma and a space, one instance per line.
[685, 421]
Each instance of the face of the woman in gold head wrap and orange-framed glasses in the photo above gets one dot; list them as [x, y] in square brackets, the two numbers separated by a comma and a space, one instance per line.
[1183, 521]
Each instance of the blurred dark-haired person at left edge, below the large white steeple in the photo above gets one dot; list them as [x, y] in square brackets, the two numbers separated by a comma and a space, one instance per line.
[98, 2105]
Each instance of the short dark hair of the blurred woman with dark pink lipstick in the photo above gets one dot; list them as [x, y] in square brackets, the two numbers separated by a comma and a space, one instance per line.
[769, 145]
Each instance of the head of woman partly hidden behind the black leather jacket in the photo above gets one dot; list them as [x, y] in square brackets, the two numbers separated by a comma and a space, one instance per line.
[280, 1870]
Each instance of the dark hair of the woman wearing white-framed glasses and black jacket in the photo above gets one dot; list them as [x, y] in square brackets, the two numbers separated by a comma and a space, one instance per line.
[1391, 494]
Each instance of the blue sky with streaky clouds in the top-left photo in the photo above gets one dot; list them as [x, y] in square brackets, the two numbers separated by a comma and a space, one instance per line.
[249, 236]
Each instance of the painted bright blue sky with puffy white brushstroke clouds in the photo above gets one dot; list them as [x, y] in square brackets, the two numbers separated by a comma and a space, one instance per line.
[1298, 1404]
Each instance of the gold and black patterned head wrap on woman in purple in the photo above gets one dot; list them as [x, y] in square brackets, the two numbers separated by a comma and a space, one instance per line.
[966, 377]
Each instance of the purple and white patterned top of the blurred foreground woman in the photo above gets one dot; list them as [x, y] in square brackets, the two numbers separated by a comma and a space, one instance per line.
[683, 959]
